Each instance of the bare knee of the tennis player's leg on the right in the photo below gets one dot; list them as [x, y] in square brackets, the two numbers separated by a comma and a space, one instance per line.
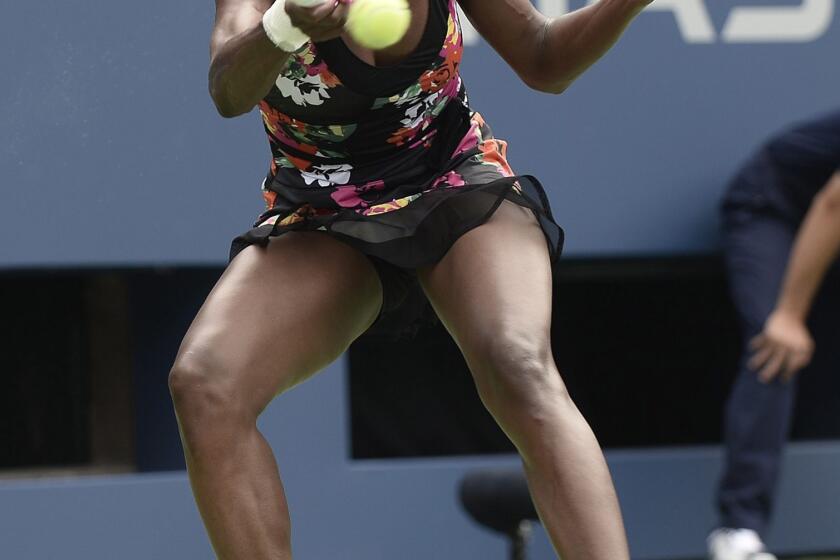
[519, 372]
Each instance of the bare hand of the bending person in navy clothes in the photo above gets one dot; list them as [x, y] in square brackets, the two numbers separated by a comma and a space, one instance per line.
[782, 349]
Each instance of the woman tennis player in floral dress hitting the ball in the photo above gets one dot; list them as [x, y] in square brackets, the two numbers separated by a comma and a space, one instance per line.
[383, 180]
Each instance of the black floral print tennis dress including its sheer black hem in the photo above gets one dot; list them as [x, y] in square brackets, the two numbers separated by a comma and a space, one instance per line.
[373, 155]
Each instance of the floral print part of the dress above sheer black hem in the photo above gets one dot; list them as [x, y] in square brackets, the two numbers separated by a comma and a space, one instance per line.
[348, 135]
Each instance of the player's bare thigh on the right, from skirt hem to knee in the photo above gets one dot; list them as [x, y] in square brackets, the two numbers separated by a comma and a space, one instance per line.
[492, 290]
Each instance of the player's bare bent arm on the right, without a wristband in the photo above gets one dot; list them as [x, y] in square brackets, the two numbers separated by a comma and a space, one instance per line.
[550, 53]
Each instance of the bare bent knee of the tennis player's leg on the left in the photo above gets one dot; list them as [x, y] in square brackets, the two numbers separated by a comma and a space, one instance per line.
[201, 395]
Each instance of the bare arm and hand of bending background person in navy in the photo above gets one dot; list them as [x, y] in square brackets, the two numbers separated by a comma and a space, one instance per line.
[785, 346]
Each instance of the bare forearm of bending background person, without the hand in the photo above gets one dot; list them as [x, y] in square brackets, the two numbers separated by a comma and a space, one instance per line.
[816, 247]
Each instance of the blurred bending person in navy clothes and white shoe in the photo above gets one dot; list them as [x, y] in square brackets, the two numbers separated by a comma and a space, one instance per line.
[781, 237]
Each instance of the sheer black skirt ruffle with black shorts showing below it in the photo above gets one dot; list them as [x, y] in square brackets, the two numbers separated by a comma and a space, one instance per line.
[415, 236]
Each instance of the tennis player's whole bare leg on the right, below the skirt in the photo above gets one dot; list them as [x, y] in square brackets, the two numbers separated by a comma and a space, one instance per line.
[493, 293]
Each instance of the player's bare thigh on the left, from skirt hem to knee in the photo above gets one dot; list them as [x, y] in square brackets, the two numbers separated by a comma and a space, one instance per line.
[279, 314]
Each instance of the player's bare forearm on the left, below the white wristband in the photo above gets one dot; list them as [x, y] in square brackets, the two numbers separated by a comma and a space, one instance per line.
[243, 70]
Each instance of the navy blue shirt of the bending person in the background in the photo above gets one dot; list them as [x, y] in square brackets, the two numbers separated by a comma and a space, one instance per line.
[787, 172]
